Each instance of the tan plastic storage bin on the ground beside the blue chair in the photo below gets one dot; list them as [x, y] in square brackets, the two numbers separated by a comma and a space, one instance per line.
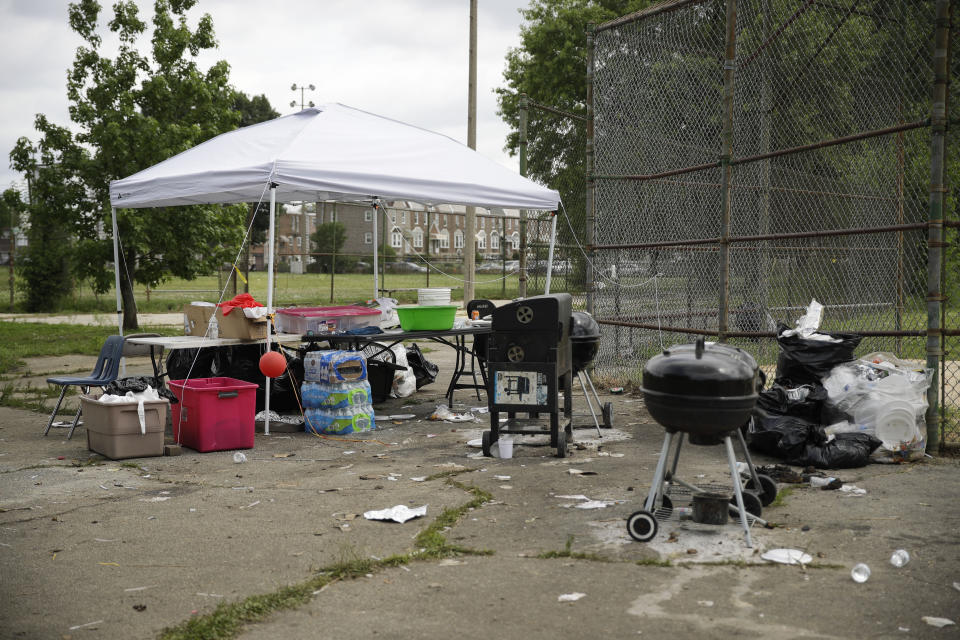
[113, 429]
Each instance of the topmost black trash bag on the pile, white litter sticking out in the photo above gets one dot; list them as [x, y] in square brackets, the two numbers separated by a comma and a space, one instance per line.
[804, 361]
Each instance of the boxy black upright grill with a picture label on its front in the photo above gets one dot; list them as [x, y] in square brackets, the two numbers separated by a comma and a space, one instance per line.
[529, 362]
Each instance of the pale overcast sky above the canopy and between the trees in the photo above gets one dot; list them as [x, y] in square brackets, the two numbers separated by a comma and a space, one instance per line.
[405, 59]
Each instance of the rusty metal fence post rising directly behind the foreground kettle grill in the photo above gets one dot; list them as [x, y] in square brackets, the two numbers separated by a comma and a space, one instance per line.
[729, 63]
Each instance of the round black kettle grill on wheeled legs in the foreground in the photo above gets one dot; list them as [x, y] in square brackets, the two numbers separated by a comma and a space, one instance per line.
[706, 391]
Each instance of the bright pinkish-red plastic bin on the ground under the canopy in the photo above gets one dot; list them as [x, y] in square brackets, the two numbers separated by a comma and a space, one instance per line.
[214, 414]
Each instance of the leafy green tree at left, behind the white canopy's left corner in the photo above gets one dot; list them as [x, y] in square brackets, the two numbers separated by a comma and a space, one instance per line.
[130, 112]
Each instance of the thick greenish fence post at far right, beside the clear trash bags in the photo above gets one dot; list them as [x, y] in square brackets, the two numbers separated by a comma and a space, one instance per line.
[938, 119]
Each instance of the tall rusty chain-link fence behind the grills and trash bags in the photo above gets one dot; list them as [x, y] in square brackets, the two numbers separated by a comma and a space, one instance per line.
[751, 155]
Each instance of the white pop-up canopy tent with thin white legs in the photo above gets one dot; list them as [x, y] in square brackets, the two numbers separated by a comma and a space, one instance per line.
[331, 152]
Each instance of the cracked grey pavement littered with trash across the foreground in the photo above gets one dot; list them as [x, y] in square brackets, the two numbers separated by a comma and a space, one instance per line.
[92, 548]
